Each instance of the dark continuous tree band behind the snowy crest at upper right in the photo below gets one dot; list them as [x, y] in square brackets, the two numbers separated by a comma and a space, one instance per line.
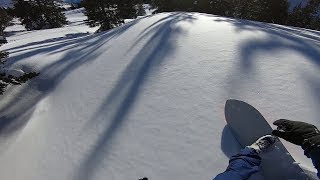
[306, 14]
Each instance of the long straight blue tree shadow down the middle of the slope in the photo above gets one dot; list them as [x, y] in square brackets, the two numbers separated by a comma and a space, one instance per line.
[120, 100]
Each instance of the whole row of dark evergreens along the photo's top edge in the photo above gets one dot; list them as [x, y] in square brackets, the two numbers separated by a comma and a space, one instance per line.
[107, 14]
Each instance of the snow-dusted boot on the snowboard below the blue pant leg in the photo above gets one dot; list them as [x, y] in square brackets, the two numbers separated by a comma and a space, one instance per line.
[263, 143]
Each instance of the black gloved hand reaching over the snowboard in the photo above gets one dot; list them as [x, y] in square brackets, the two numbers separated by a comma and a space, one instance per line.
[300, 133]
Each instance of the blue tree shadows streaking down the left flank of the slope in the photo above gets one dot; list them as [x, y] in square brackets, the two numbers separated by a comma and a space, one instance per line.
[17, 109]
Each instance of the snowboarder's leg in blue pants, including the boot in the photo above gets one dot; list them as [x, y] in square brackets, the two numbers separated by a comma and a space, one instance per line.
[247, 161]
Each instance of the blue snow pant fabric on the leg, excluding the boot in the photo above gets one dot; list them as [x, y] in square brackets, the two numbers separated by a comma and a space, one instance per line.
[242, 165]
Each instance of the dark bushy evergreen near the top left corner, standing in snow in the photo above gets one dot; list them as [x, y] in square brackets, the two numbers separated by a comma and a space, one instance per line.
[39, 14]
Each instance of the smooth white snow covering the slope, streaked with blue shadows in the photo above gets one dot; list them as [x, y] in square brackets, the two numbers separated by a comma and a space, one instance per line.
[147, 98]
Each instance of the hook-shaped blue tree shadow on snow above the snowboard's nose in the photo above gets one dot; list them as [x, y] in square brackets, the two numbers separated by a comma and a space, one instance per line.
[277, 38]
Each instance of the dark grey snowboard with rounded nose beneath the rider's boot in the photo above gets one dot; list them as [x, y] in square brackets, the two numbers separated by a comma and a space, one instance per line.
[247, 125]
